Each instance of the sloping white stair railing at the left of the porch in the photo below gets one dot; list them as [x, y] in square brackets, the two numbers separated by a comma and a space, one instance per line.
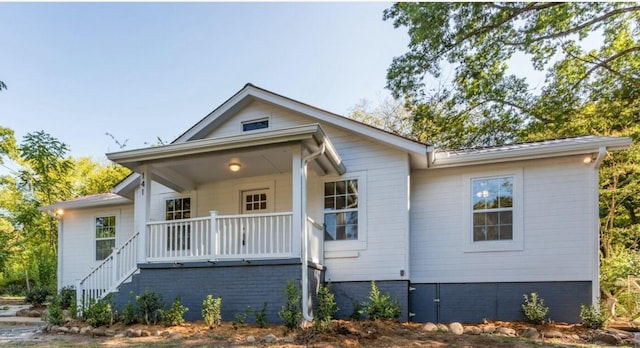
[109, 274]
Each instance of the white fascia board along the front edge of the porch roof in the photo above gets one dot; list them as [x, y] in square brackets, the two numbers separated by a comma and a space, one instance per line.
[214, 144]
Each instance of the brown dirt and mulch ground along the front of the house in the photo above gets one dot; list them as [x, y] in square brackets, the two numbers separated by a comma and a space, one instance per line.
[340, 334]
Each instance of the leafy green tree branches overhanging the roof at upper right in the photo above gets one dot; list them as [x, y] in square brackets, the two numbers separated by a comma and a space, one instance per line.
[487, 102]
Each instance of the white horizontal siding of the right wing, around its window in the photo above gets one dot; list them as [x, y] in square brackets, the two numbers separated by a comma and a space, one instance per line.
[560, 237]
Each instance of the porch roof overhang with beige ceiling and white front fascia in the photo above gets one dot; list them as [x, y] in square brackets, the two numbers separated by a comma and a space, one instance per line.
[185, 166]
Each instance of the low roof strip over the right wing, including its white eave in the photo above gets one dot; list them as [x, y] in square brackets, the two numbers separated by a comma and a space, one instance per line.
[529, 150]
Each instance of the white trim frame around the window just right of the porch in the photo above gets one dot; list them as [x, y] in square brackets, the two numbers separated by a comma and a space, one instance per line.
[361, 242]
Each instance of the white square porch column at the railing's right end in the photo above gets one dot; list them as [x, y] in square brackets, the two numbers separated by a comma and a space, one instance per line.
[296, 190]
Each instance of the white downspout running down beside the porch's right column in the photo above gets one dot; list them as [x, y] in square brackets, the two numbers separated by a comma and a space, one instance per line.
[305, 233]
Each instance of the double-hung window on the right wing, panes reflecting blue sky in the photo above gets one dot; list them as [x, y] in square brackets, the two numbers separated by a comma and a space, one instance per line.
[492, 209]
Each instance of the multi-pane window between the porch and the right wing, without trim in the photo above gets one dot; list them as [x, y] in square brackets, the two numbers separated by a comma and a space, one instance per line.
[341, 210]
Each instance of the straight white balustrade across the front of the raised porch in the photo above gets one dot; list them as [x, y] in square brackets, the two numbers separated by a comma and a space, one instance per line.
[246, 236]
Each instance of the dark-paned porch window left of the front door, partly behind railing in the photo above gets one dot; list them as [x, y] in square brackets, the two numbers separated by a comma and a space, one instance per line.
[178, 235]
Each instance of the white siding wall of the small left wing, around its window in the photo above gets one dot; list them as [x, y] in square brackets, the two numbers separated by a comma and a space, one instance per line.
[78, 247]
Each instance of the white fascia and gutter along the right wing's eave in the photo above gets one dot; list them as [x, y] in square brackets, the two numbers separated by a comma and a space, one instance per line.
[443, 160]
